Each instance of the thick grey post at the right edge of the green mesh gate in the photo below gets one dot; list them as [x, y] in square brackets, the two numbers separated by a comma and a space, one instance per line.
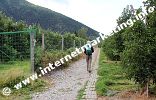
[32, 44]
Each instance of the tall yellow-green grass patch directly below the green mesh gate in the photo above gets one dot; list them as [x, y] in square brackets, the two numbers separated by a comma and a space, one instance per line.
[12, 72]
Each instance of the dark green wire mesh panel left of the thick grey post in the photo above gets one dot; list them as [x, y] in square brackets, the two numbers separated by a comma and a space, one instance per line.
[14, 46]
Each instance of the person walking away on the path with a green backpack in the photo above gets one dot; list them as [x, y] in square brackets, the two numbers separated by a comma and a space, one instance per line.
[88, 51]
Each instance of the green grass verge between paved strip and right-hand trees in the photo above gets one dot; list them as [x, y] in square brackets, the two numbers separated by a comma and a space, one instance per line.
[111, 78]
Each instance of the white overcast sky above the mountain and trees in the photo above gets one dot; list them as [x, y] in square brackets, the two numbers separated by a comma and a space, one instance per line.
[100, 15]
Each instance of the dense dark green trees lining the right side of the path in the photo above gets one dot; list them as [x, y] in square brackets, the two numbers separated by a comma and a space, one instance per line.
[135, 47]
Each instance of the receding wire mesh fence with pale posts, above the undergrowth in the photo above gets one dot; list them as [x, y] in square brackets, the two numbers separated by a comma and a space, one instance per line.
[54, 41]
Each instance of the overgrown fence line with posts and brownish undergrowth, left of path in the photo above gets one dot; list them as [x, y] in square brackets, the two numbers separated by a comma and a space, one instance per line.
[51, 46]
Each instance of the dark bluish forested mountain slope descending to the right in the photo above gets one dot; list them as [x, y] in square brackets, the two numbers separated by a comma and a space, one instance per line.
[48, 19]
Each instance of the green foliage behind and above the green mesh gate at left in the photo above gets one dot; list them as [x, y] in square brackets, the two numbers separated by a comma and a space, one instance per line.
[13, 46]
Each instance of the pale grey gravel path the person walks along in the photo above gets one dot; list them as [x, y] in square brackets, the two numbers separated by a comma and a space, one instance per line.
[67, 82]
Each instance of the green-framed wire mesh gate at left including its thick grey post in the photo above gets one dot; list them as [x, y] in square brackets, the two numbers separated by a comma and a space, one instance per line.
[16, 48]
